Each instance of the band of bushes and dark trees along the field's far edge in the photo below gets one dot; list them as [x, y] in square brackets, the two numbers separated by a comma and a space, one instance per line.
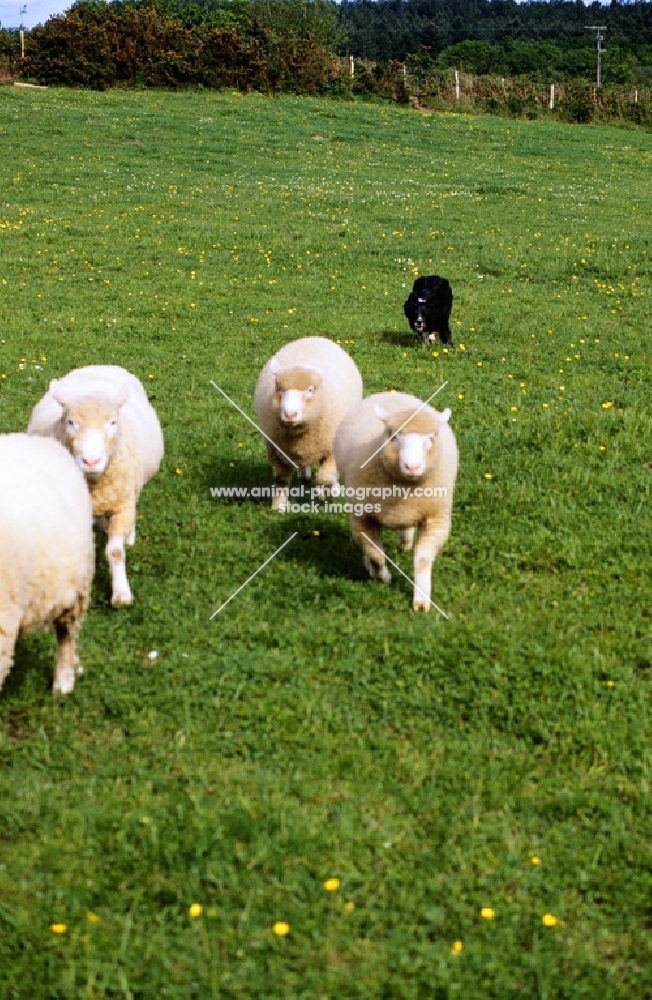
[305, 44]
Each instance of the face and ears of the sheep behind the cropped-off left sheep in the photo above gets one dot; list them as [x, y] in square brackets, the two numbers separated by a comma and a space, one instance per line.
[91, 428]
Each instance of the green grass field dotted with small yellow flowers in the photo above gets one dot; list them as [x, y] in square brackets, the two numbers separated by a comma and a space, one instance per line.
[317, 728]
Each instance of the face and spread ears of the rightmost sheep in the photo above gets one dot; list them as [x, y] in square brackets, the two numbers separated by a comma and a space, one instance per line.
[412, 445]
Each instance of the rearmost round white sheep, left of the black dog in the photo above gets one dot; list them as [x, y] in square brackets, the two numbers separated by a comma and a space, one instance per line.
[301, 396]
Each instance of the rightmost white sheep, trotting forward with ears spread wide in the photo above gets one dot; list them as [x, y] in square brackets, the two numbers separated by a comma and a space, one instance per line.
[409, 481]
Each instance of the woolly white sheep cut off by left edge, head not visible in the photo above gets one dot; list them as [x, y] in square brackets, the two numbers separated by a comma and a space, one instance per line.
[46, 550]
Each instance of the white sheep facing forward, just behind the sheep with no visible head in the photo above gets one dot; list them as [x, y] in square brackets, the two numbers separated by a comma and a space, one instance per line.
[103, 417]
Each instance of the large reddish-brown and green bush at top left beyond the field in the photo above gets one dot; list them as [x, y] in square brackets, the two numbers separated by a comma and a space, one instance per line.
[100, 45]
